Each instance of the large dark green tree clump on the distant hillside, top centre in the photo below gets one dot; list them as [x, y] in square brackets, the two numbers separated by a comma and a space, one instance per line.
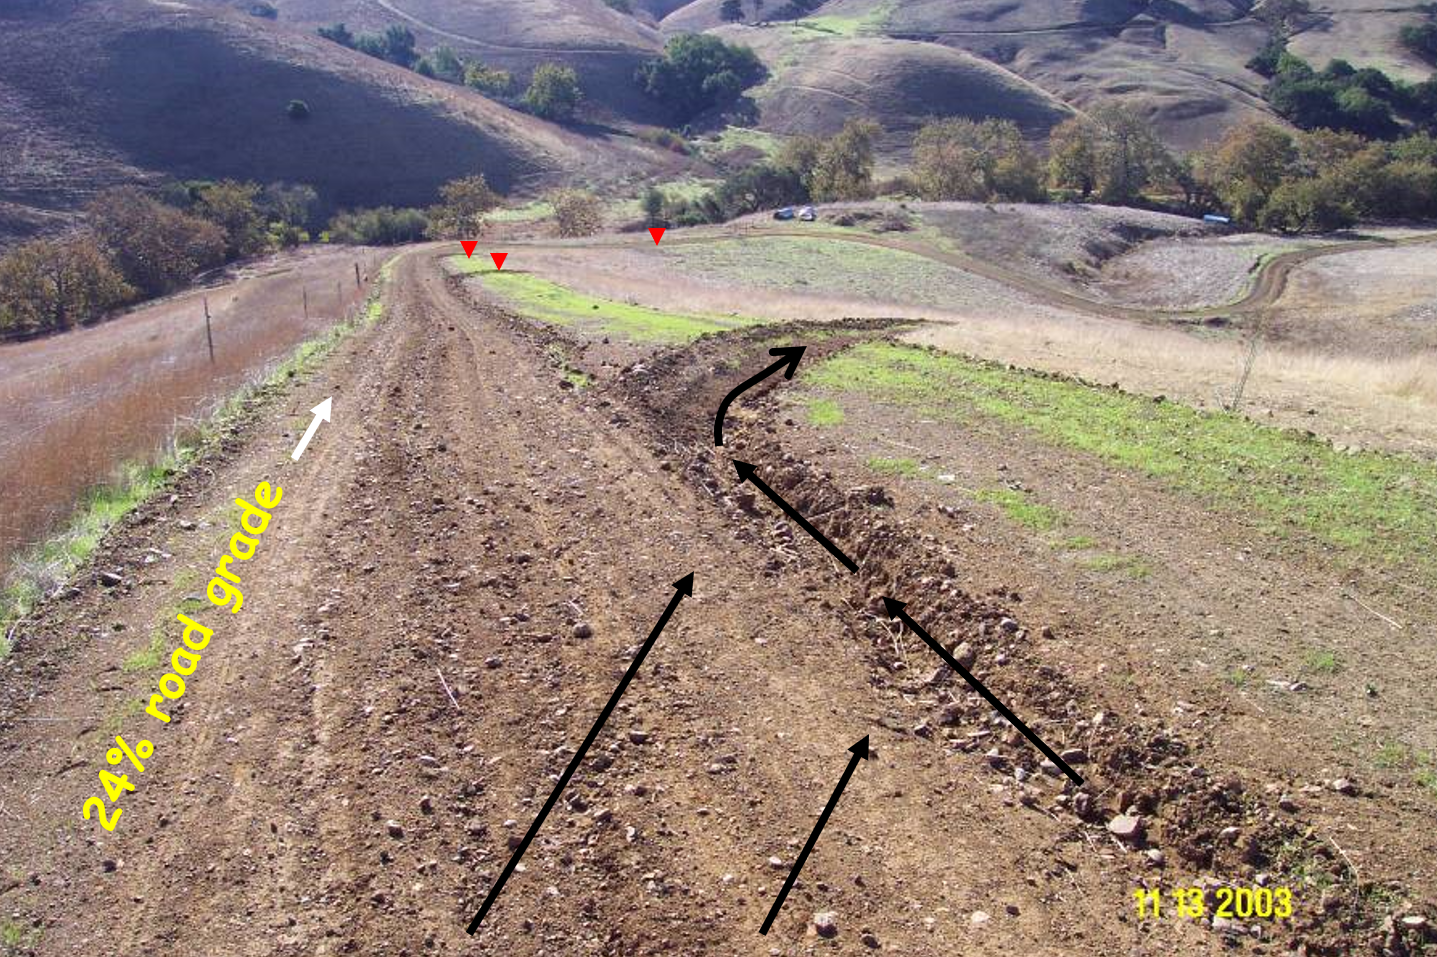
[699, 73]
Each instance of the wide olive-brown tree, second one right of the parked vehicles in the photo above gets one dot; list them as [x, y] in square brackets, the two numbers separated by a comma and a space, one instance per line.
[965, 160]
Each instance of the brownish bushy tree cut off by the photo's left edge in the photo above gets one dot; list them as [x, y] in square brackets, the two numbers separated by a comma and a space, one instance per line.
[50, 287]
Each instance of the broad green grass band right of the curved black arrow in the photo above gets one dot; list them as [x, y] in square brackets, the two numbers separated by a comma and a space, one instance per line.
[1367, 505]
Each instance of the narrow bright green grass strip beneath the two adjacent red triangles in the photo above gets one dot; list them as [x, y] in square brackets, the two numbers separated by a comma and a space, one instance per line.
[551, 302]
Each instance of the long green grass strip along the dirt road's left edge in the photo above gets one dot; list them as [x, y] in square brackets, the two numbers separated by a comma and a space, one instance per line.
[60, 557]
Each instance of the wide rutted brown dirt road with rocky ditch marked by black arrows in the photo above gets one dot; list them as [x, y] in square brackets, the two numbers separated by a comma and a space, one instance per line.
[453, 530]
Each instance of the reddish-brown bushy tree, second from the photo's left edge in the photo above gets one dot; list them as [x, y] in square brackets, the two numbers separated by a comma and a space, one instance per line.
[154, 246]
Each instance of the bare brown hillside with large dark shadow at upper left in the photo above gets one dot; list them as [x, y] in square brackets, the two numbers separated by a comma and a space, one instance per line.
[136, 91]
